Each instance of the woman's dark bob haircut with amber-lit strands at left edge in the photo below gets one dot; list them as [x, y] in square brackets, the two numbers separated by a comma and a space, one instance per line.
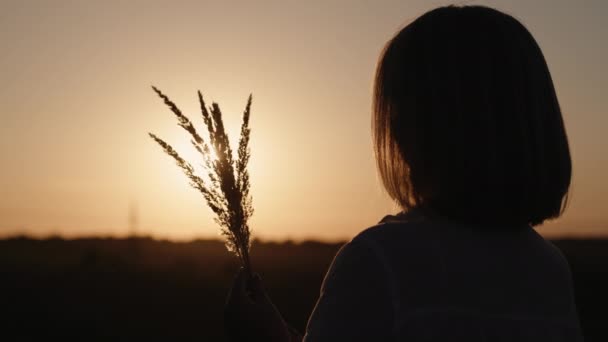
[466, 121]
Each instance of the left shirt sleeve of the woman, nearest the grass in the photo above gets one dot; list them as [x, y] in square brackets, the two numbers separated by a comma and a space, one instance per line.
[355, 300]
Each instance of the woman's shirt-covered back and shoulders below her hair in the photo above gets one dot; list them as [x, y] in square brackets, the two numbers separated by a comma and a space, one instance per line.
[437, 281]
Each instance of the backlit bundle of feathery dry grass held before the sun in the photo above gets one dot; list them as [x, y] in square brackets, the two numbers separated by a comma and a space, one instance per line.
[226, 184]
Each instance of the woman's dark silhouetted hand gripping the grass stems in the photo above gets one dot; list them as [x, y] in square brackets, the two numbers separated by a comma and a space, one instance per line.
[250, 315]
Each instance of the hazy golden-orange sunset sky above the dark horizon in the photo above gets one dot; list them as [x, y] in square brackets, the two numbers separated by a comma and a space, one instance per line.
[76, 106]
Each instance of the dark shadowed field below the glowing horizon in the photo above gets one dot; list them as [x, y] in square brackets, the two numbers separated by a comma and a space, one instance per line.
[141, 289]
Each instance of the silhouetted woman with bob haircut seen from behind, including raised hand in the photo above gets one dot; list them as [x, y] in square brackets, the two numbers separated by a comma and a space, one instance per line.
[470, 142]
